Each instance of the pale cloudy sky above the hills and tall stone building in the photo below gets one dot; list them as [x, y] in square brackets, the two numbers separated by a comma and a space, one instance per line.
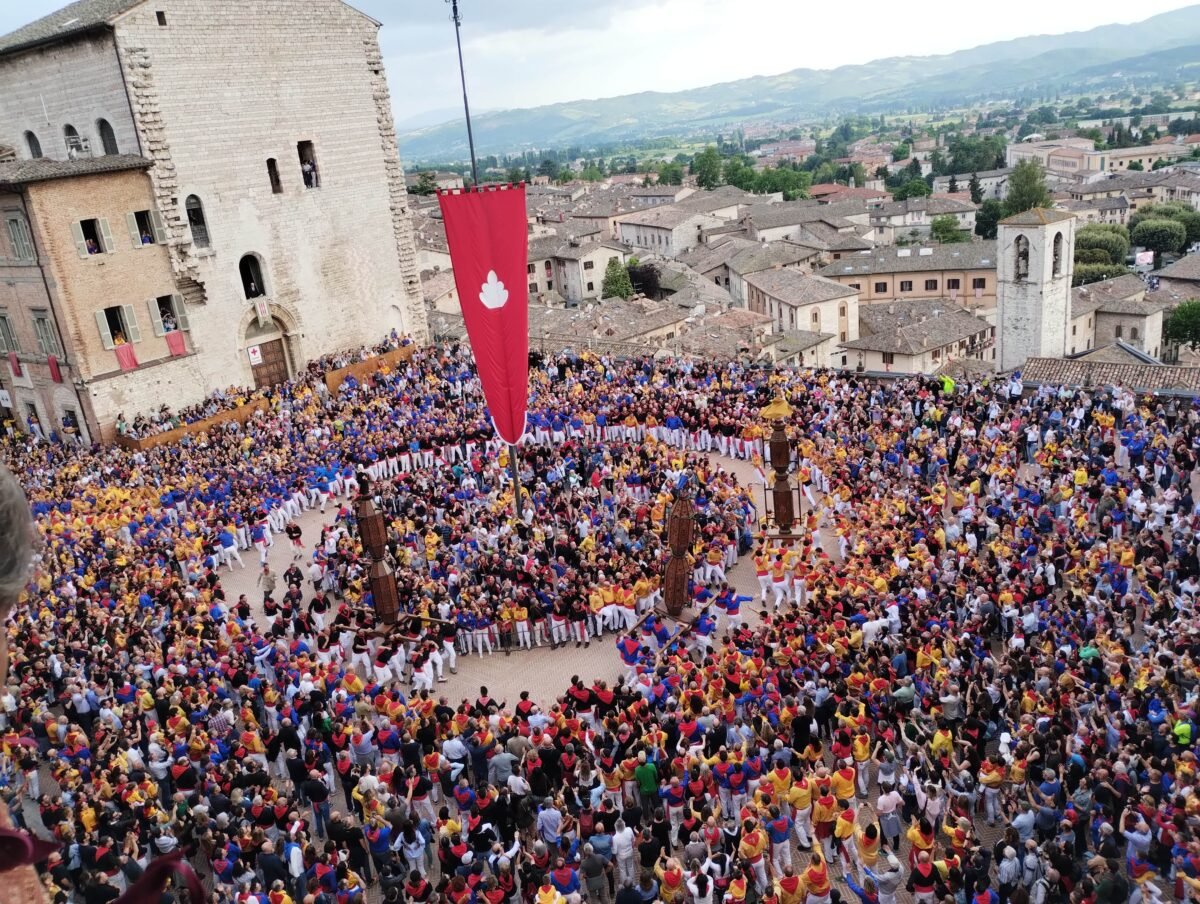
[524, 53]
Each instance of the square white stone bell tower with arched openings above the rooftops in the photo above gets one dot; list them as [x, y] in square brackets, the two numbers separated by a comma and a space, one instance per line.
[1034, 270]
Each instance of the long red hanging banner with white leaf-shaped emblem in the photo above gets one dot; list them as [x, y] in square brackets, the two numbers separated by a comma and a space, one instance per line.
[489, 250]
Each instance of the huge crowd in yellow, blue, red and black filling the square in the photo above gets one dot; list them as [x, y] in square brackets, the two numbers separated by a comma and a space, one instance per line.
[971, 676]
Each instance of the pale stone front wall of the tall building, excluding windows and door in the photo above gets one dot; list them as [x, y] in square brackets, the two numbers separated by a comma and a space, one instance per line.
[221, 89]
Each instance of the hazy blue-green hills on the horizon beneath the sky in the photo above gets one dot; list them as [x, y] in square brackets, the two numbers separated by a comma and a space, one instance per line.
[1096, 58]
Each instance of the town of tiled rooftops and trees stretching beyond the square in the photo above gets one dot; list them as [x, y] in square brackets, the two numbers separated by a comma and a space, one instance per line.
[883, 246]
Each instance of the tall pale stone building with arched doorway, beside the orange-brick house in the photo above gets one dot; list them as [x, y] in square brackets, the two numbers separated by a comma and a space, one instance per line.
[275, 171]
